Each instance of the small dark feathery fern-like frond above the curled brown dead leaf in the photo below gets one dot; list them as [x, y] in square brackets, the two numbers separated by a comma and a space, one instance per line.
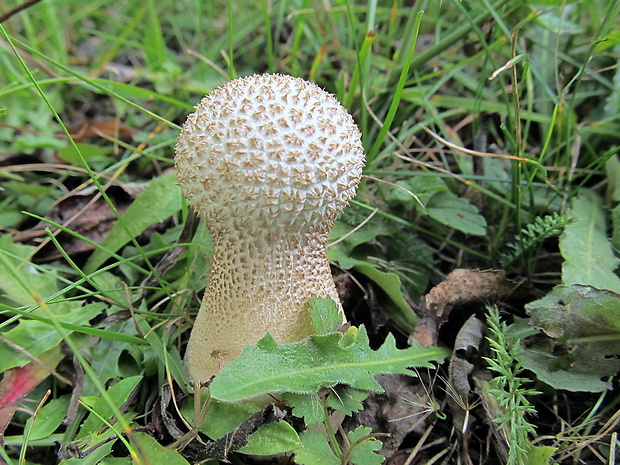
[532, 235]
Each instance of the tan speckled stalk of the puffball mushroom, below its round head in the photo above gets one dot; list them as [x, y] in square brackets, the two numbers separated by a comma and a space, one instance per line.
[252, 289]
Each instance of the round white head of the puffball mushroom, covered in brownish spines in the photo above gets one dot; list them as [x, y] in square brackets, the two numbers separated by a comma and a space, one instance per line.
[269, 149]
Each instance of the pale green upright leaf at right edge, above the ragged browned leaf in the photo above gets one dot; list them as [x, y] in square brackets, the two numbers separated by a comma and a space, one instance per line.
[588, 257]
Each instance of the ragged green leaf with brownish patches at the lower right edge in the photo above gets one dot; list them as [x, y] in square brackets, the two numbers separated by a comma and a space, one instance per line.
[583, 324]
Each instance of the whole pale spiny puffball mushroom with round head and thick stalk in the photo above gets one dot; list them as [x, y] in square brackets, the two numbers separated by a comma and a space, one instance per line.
[269, 162]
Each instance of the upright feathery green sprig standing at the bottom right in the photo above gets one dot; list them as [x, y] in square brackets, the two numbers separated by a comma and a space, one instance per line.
[508, 389]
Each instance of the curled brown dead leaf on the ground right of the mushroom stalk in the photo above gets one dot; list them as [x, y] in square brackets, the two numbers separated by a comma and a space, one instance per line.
[460, 287]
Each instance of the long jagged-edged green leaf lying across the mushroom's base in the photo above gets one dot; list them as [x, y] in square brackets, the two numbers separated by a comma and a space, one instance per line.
[314, 363]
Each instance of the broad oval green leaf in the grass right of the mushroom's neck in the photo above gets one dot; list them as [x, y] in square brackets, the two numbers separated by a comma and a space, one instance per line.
[456, 212]
